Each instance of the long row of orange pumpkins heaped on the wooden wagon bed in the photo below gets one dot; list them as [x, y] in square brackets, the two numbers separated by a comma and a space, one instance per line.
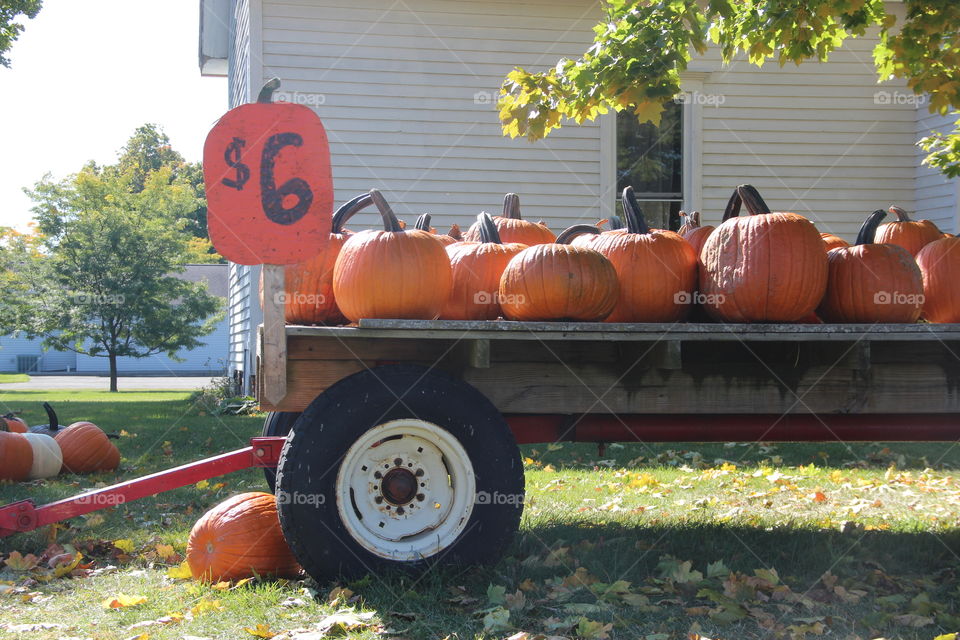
[763, 267]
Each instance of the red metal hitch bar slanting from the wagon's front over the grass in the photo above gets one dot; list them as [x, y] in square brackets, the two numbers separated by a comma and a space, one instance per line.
[22, 516]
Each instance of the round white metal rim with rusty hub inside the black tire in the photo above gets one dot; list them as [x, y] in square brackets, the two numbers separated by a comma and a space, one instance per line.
[411, 509]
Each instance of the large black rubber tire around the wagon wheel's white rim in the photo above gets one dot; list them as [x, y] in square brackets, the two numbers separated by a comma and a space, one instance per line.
[339, 417]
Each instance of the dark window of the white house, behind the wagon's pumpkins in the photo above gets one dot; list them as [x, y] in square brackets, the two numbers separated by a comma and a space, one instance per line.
[650, 159]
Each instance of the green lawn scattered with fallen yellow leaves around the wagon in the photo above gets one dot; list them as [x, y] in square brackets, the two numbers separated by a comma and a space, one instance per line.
[664, 541]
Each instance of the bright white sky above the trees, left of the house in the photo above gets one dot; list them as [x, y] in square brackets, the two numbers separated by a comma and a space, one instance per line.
[84, 75]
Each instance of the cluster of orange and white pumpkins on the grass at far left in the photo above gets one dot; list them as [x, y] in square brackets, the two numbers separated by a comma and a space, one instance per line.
[43, 451]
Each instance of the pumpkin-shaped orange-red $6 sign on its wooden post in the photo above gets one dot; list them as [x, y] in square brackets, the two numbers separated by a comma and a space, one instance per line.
[269, 188]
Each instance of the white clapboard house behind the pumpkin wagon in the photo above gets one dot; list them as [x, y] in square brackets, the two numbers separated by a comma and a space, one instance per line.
[406, 91]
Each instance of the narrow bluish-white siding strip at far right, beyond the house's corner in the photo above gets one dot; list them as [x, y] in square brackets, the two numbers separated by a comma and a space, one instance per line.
[936, 197]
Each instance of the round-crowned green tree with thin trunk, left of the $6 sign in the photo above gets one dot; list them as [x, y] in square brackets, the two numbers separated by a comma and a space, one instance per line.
[98, 274]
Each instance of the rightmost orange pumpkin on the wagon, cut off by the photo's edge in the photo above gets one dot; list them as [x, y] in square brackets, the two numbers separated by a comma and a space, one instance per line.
[939, 263]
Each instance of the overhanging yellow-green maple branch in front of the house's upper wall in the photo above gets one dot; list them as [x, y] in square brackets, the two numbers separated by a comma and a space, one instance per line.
[641, 48]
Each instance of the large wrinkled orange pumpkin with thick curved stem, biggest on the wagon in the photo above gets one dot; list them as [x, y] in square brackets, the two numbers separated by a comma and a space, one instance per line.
[765, 267]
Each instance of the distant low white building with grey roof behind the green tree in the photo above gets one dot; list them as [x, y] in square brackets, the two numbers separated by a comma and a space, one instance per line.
[21, 354]
